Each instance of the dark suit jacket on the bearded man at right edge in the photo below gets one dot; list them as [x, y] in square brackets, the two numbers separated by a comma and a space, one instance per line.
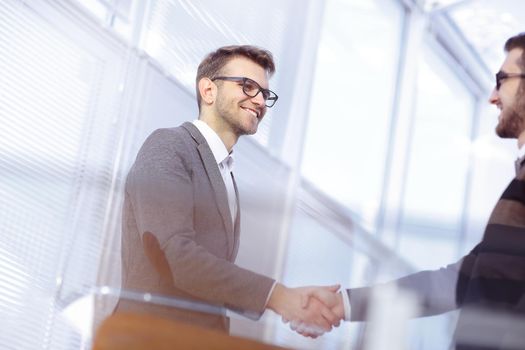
[490, 279]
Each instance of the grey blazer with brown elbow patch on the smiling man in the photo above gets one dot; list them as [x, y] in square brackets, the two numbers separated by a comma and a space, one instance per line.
[178, 238]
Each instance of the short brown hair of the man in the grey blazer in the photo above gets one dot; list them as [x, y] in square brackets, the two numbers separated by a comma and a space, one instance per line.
[216, 60]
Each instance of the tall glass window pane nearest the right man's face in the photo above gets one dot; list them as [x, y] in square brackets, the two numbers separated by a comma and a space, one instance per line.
[437, 164]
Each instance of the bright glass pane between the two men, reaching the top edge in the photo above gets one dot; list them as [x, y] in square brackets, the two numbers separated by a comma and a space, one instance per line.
[351, 102]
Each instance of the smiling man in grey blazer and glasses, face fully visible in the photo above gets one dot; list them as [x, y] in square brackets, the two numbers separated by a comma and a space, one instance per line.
[181, 220]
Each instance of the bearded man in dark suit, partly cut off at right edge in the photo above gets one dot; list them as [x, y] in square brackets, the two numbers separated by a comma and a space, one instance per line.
[490, 280]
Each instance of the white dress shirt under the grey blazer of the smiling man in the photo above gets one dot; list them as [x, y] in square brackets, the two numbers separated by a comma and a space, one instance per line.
[224, 162]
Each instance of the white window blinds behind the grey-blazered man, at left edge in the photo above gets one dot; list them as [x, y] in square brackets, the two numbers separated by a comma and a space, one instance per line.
[59, 103]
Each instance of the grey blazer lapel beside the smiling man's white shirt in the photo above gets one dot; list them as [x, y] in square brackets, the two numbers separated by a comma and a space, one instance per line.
[214, 175]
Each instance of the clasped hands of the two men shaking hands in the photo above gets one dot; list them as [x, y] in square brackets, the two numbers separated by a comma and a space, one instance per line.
[311, 311]
